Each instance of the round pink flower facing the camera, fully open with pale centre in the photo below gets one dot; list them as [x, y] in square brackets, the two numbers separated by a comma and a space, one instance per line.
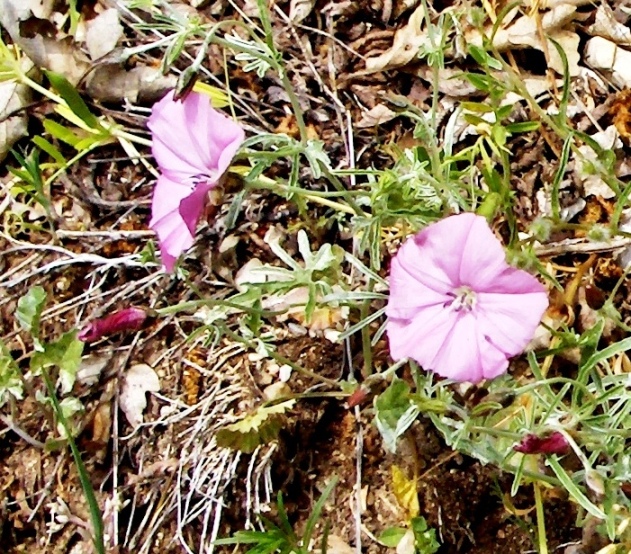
[456, 306]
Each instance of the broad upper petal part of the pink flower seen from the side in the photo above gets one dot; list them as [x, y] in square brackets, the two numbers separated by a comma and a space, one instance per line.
[191, 138]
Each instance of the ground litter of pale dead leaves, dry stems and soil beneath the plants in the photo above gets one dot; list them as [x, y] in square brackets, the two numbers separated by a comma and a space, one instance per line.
[172, 483]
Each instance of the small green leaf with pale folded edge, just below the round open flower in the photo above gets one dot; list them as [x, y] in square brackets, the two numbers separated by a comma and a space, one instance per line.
[395, 412]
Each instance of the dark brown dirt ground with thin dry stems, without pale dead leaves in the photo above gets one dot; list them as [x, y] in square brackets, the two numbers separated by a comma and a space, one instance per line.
[167, 482]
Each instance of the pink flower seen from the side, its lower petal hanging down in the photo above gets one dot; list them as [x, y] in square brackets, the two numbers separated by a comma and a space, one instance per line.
[193, 145]
